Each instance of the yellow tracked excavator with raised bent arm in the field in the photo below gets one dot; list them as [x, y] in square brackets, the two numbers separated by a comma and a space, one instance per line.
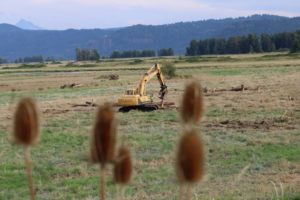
[137, 99]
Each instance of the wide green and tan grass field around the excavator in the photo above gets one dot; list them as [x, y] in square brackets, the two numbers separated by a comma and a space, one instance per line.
[252, 138]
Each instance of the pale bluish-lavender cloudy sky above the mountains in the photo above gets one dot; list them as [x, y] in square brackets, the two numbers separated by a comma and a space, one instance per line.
[78, 14]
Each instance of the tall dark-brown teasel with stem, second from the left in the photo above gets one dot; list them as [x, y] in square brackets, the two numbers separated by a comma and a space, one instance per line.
[103, 142]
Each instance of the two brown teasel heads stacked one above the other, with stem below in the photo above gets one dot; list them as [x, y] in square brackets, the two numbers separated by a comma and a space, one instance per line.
[190, 153]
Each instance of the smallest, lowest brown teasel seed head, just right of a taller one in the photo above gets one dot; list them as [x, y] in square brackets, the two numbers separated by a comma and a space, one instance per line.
[123, 166]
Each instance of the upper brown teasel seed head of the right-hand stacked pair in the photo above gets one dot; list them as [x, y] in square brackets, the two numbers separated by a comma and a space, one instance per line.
[192, 103]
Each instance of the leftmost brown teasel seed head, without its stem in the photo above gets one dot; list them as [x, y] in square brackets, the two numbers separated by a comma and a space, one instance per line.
[26, 122]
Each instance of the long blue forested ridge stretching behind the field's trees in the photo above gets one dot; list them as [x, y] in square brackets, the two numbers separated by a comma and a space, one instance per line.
[15, 42]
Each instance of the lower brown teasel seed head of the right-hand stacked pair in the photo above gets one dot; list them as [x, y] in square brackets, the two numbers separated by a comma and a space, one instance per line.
[190, 158]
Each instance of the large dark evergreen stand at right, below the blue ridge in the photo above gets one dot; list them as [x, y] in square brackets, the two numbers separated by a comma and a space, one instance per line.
[250, 43]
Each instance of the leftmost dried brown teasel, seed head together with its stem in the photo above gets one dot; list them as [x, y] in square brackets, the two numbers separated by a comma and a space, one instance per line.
[26, 132]
